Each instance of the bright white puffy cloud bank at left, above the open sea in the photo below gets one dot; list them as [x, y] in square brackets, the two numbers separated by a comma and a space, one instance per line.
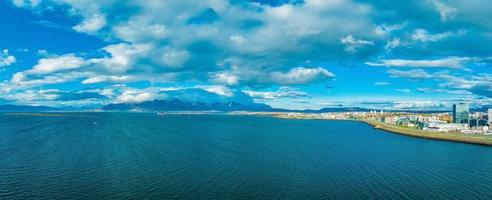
[113, 68]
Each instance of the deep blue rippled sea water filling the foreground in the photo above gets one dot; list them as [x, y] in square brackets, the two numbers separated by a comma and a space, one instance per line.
[145, 156]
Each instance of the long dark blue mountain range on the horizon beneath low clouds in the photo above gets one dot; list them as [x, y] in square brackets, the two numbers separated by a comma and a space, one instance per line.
[179, 105]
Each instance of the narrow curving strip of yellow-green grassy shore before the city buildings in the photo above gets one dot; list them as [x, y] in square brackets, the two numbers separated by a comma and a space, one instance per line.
[452, 137]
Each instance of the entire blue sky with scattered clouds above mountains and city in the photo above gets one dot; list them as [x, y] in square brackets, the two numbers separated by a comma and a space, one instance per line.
[384, 54]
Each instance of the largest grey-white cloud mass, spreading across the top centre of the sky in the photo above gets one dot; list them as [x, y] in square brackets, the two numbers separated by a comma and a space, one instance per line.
[257, 37]
